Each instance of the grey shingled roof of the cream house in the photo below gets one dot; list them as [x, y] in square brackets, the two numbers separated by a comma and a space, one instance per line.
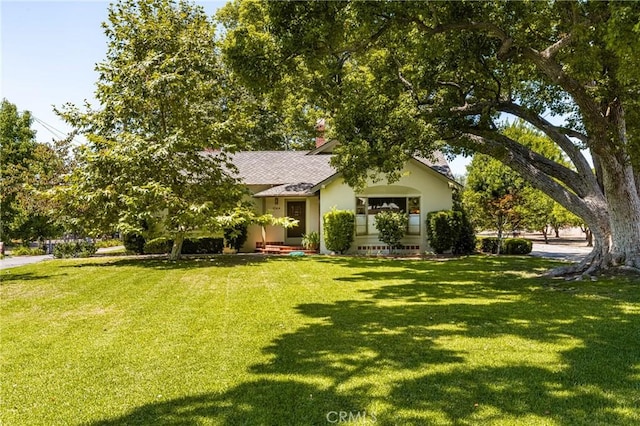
[295, 173]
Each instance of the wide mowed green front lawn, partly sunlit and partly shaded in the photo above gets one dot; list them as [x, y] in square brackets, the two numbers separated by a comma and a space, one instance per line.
[312, 341]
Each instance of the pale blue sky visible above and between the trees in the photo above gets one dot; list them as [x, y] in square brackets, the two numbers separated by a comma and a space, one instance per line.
[49, 50]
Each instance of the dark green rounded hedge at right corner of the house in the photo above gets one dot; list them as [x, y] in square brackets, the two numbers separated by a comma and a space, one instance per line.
[450, 230]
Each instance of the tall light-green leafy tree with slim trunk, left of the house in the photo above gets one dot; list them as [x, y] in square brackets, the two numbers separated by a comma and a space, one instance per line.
[162, 94]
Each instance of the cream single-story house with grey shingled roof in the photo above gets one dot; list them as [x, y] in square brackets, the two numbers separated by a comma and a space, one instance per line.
[304, 186]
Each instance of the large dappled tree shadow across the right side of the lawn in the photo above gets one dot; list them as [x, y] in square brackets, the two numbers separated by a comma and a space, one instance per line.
[388, 350]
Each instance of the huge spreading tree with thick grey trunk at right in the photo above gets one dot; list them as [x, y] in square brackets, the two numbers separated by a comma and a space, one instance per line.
[398, 78]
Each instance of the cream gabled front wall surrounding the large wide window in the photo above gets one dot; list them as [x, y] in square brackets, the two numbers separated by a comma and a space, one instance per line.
[416, 181]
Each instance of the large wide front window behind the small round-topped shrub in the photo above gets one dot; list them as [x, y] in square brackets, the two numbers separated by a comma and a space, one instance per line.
[367, 208]
